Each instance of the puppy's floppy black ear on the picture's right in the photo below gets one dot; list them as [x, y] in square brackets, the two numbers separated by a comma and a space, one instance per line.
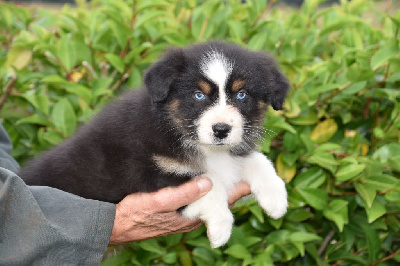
[277, 85]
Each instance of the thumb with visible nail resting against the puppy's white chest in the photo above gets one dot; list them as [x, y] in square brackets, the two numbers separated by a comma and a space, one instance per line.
[172, 198]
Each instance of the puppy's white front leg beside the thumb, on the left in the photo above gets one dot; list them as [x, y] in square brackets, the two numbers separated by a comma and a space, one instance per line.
[214, 211]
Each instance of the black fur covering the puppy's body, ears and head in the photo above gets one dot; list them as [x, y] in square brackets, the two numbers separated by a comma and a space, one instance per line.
[111, 156]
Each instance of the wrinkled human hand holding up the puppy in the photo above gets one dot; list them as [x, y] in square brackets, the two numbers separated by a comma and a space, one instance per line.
[146, 215]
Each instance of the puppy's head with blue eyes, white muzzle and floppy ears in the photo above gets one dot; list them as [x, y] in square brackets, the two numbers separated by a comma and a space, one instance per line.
[216, 94]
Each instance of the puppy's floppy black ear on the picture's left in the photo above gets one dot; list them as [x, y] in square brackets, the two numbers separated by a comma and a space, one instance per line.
[160, 77]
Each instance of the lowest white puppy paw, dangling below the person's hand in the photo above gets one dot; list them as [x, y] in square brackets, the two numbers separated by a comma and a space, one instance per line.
[220, 231]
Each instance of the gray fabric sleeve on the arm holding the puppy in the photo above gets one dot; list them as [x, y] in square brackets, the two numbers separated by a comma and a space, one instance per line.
[47, 226]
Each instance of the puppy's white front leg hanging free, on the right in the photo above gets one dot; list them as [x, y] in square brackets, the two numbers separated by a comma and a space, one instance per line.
[268, 188]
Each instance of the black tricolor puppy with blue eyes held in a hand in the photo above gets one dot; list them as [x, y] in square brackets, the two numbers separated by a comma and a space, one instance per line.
[200, 114]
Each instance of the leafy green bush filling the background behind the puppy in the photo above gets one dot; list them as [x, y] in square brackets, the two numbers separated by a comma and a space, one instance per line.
[336, 144]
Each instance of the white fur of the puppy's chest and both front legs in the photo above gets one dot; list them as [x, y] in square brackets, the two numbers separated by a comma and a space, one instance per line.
[225, 171]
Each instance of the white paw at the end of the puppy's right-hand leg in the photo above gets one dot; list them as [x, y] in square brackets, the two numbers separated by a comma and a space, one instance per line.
[274, 199]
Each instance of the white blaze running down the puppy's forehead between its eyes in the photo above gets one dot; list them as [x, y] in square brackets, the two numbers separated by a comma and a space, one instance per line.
[217, 68]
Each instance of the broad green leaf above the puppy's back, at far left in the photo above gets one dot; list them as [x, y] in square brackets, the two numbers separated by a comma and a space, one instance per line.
[63, 117]
